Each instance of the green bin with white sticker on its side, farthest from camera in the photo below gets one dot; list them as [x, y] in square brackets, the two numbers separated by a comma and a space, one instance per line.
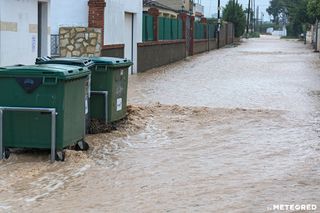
[111, 75]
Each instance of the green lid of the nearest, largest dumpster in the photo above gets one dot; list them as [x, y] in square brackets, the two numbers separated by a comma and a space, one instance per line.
[59, 71]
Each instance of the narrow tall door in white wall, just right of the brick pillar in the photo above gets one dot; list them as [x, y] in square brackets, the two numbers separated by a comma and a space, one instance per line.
[128, 48]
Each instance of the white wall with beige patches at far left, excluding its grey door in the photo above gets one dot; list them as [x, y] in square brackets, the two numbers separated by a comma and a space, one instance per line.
[18, 32]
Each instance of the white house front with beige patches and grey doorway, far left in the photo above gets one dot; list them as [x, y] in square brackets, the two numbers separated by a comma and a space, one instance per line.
[24, 31]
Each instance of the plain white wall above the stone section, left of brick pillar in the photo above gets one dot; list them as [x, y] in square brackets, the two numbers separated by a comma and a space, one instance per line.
[68, 13]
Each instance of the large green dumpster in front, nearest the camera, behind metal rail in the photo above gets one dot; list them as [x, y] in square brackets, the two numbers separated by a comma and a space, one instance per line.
[26, 89]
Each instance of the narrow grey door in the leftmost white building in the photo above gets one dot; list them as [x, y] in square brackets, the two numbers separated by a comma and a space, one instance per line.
[42, 29]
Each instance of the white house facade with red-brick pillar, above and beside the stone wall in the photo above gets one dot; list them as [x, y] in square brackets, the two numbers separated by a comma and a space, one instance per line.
[120, 21]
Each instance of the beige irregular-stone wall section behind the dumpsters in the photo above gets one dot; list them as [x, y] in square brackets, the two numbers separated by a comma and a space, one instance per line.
[80, 41]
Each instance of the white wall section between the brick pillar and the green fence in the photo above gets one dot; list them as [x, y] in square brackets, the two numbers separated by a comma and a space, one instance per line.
[115, 31]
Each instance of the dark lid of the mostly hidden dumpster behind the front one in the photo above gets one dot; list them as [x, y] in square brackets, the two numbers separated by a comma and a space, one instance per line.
[74, 61]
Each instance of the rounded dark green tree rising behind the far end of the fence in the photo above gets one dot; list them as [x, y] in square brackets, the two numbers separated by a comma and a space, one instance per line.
[233, 12]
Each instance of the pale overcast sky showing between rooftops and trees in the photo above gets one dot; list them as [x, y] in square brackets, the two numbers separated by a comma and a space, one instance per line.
[211, 6]
